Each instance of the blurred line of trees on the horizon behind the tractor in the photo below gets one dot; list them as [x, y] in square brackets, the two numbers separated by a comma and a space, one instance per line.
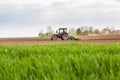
[85, 30]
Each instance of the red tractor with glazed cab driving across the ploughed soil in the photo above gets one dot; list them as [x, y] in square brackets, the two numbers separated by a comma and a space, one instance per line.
[62, 33]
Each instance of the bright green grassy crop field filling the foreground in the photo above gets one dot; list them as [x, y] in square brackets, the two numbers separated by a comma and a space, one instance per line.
[60, 62]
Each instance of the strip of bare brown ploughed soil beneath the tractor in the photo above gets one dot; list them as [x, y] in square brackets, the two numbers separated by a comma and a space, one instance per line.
[99, 39]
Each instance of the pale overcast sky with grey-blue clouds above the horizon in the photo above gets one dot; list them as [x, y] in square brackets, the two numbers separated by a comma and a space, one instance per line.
[20, 18]
